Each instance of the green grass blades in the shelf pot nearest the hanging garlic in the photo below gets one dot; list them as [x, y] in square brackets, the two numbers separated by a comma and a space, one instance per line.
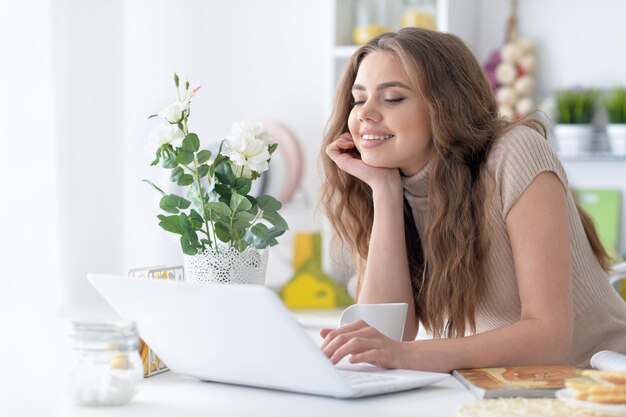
[576, 106]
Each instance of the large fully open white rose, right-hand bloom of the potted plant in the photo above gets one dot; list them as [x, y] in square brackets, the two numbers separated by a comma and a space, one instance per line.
[247, 146]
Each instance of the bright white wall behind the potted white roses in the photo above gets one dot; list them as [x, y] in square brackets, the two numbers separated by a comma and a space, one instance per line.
[254, 60]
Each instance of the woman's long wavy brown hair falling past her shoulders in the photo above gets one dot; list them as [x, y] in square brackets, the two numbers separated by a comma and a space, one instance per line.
[447, 264]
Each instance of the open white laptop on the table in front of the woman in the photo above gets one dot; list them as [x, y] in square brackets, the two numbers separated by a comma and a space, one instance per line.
[241, 334]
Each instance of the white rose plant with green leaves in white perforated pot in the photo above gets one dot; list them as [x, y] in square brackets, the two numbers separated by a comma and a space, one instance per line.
[224, 231]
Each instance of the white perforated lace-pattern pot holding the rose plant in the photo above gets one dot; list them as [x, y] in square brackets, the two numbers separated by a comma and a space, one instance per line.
[227, 266]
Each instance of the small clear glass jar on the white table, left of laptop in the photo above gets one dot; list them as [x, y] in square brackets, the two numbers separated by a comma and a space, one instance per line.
[107, 366]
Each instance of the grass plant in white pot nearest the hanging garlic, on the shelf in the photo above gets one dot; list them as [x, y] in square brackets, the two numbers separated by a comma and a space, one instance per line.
[576, 109]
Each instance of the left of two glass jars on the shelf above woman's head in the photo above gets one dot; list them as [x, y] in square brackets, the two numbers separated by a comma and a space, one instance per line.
[370, 20]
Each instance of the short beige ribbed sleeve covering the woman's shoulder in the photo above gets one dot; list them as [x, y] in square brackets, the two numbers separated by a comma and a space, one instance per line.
[516, 158]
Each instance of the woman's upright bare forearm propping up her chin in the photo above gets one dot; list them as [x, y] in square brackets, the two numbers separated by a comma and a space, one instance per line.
[386, 277]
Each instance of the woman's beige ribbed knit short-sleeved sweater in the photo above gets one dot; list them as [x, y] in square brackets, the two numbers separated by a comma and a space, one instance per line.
[599, 312]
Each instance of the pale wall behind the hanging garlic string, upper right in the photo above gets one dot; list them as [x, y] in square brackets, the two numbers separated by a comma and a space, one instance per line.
[578, 42]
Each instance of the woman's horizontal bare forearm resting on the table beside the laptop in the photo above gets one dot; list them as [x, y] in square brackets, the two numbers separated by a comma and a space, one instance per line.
[527, 342]
